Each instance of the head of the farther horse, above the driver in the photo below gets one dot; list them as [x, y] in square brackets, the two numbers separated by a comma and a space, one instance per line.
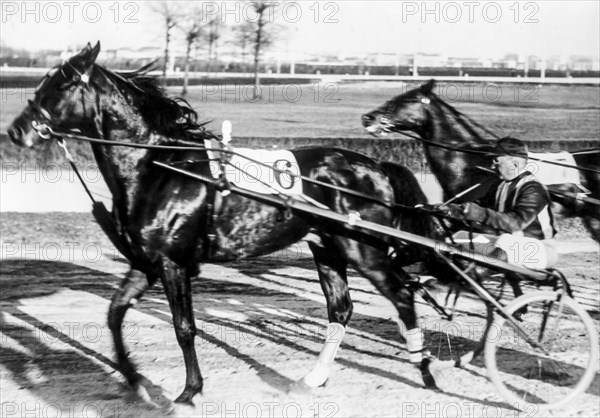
[406, 112]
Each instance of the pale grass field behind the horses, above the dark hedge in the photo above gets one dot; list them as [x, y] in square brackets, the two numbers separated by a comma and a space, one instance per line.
[333, 110]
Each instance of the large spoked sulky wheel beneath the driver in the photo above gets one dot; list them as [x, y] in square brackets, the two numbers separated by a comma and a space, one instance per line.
[553, 375]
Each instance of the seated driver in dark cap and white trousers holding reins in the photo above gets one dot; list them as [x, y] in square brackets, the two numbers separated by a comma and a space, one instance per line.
[518, 210]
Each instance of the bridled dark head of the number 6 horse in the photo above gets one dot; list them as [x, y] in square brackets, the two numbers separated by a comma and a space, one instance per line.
[65, 97]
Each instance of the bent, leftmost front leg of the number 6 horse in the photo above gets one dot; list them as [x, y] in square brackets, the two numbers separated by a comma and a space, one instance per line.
[132, 287]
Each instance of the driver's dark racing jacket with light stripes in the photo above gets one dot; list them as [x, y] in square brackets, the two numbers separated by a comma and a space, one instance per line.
[526, 208]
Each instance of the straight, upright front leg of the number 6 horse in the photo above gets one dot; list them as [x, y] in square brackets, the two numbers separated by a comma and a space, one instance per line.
[177, 284]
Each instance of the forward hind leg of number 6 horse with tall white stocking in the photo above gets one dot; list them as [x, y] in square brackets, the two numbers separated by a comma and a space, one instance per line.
[331, 266]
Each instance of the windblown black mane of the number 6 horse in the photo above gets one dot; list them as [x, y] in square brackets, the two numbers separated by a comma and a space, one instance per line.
[172, 117]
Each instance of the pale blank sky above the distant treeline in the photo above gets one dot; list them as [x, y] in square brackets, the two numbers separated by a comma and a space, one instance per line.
[455, 28]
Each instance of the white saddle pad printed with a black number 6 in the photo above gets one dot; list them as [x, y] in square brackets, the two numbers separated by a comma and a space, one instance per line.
[262, 171]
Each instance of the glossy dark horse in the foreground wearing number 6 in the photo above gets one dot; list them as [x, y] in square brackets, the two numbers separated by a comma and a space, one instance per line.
[163, 220]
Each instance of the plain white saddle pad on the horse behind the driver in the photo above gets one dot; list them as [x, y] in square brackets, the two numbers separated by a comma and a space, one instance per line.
[549, 174]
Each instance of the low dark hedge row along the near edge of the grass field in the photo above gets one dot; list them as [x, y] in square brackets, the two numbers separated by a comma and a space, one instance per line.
[407, 152]
